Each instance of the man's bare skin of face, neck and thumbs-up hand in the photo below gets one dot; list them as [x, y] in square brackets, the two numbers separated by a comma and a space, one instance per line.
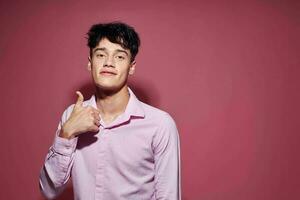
[110, 65]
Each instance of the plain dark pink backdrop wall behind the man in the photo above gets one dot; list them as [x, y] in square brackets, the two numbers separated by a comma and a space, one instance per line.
[227, 71]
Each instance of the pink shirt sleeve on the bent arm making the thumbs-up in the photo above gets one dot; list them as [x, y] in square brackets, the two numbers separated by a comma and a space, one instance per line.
[58, 163]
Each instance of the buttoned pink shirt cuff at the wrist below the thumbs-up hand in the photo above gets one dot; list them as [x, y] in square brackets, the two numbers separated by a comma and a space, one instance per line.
[64, 146]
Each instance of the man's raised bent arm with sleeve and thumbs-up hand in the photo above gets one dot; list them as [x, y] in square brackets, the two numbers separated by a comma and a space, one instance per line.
[56, 171]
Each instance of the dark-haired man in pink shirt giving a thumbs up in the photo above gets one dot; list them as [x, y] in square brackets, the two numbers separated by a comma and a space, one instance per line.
[114, 146]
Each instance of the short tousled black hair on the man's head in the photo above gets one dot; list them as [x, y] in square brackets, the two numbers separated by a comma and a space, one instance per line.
[115, 32]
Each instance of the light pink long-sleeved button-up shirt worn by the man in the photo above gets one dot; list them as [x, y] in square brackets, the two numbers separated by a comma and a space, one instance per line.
[136, 157]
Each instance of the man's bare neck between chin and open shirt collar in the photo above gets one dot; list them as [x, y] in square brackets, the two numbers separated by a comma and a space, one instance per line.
[112, 104]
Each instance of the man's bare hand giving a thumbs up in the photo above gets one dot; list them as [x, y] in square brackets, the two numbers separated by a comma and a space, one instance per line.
[81, 120]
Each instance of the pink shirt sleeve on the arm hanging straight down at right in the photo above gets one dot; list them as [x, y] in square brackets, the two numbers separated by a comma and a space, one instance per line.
[167, 161]
